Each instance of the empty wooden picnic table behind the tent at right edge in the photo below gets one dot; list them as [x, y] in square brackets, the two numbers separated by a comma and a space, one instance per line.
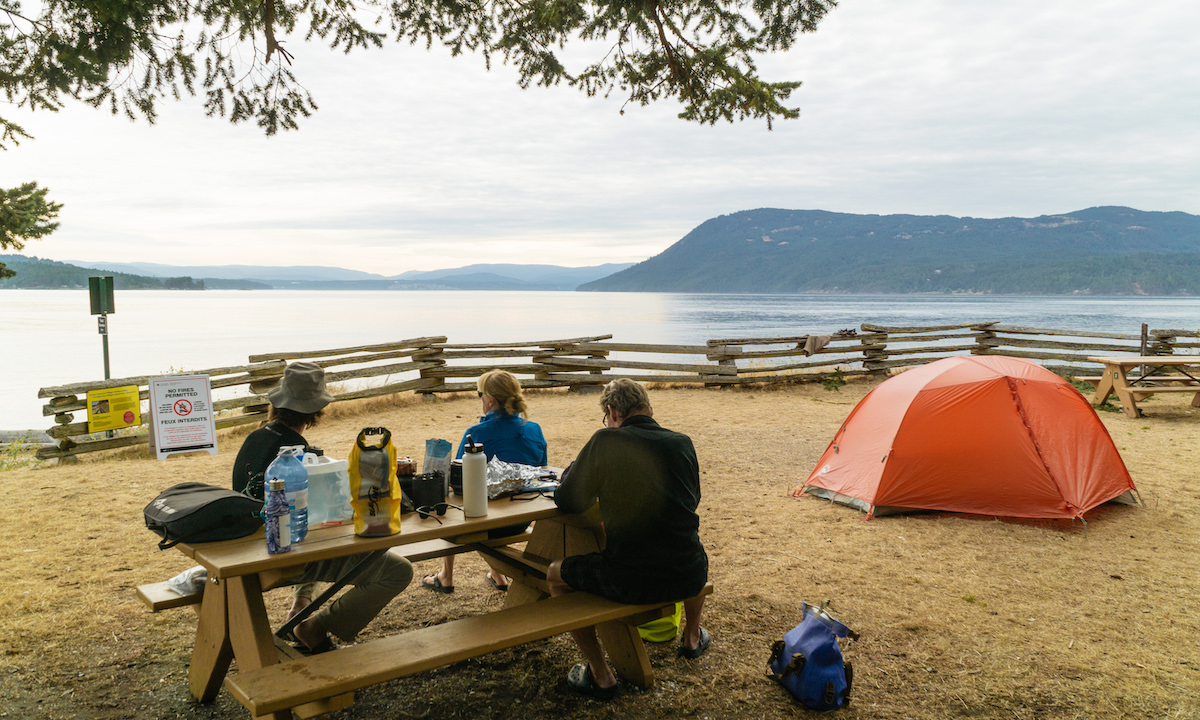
[1161, 374]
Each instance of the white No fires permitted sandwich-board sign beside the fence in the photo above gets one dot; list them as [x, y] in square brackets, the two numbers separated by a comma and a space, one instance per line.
[182, 418]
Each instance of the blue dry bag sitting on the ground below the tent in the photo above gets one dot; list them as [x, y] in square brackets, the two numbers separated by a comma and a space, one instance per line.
[808, 662]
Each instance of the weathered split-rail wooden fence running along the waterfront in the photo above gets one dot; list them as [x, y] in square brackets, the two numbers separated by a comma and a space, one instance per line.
[431, 365]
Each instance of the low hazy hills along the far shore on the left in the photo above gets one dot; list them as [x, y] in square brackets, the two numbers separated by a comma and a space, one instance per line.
[39, 274]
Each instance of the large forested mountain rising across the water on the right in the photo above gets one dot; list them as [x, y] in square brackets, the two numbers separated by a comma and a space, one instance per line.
[1096, 251]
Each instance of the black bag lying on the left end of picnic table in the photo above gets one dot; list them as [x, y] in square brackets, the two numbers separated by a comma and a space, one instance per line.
[200, 513]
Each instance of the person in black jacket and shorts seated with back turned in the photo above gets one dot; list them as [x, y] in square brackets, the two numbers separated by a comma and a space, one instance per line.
[647, 481]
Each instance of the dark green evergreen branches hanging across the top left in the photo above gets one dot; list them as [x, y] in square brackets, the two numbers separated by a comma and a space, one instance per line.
[129, 55]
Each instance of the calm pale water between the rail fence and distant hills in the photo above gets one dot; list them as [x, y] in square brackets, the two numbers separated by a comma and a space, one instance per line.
[47, 338]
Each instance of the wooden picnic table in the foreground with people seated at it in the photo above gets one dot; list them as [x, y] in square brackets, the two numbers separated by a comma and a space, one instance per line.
[274, 680]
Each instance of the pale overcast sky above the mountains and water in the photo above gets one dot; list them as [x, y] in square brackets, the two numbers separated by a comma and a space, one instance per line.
[419, 161]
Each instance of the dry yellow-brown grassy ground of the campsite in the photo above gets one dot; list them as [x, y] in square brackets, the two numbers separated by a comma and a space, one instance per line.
[961, 616]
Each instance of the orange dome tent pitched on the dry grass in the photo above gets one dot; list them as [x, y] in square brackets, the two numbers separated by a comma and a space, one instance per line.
[983, 435]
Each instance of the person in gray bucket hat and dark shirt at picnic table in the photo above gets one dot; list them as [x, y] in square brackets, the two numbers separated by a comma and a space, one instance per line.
[298, 403]
